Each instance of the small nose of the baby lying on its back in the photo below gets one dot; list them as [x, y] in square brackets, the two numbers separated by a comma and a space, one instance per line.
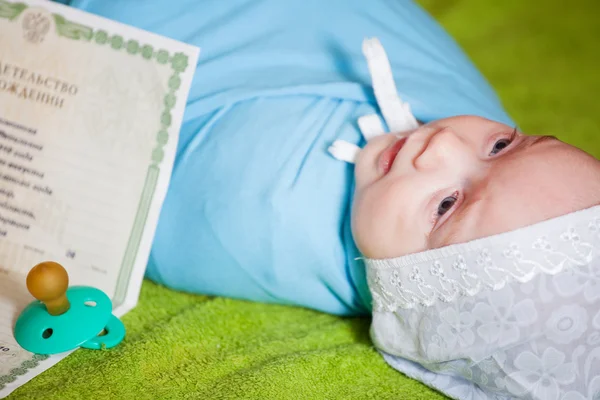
[445, 149]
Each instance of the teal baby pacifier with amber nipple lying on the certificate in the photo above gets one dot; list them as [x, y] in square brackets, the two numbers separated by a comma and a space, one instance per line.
[64, 318]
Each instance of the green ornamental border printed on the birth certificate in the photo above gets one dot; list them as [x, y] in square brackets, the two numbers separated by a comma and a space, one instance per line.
[179, 63]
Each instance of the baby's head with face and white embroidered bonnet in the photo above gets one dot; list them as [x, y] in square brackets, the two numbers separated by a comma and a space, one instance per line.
[482, 249]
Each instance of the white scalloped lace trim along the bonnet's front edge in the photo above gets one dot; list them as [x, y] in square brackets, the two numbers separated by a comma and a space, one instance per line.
[445, 274]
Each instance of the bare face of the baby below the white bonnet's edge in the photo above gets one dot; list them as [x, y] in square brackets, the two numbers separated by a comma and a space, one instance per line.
[463, 178]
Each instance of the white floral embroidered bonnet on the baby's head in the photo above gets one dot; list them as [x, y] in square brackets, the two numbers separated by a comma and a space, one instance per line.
[515, 315]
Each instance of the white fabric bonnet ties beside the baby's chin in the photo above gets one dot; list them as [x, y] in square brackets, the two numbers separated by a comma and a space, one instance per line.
[396, 113]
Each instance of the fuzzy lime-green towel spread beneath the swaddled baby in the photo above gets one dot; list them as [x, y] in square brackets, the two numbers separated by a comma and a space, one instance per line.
[541, 57]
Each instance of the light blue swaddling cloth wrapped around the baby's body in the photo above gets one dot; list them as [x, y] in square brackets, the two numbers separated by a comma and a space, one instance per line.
[257, 209]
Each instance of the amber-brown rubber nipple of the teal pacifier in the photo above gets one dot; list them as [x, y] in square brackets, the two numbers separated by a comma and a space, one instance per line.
[48, 282]
